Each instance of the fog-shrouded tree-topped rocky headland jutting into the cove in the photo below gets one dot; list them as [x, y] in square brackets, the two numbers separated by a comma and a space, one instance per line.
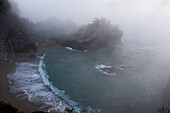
[100, 33]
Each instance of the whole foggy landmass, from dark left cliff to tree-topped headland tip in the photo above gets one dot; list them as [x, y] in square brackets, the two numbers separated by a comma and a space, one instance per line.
[19, 35]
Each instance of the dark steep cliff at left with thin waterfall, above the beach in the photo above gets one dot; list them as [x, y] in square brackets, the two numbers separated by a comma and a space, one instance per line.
[13, 39]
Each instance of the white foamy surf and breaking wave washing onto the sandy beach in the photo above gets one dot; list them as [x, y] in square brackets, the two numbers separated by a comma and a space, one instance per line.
[30, 81]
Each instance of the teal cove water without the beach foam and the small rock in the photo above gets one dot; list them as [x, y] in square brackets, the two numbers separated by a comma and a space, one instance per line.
[136, 90]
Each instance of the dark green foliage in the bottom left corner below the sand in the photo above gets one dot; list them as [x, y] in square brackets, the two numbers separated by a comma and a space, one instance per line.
[7, 108]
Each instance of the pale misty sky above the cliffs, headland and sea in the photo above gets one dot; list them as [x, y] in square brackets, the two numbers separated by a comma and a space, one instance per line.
[147, 16]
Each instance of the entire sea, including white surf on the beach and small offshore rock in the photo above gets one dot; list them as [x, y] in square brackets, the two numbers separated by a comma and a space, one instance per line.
[126, 79]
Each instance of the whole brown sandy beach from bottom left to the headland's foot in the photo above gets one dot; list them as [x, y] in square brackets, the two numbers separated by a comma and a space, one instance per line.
[9, 66]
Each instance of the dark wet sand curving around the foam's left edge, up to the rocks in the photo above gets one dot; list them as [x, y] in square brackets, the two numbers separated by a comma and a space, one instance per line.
[5, 95]
